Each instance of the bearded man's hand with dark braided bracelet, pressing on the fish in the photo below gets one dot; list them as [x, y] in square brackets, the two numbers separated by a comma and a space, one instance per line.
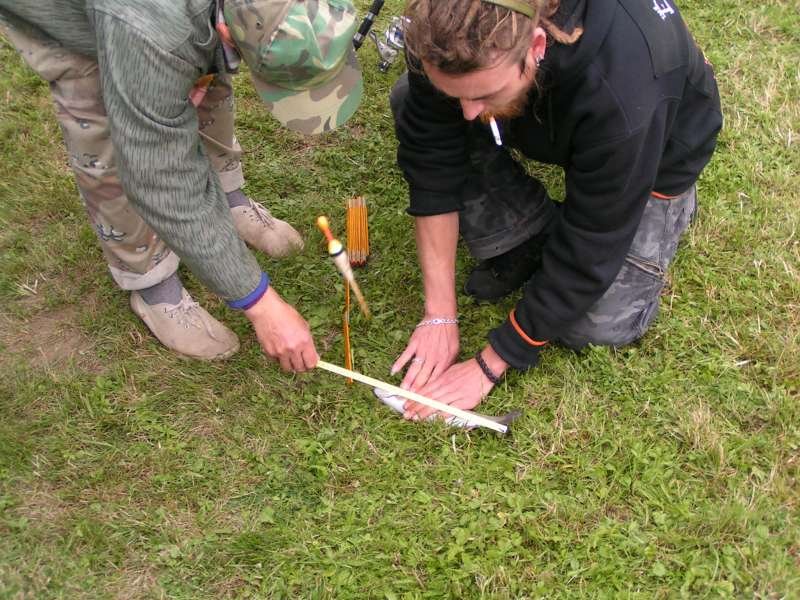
[463, 385]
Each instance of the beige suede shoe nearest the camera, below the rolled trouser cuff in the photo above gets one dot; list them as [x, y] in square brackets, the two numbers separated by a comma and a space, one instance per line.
[186, 328]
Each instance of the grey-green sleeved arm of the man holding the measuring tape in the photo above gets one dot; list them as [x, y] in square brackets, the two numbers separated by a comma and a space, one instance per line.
[166, 177]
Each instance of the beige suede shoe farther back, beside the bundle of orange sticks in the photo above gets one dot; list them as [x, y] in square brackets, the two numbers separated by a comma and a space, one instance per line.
[261, 230]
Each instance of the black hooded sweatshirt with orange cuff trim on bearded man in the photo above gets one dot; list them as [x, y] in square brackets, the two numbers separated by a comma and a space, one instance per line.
[631, 108]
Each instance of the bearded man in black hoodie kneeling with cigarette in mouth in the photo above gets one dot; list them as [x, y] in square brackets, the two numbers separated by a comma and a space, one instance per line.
[616, 93]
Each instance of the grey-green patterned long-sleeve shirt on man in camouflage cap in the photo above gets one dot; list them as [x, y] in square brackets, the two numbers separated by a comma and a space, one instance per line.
[150, 53]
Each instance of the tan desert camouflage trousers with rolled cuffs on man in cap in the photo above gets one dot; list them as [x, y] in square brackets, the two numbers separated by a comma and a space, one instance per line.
[136, 257]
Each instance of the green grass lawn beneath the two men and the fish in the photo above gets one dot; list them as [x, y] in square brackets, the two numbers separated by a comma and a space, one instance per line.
[662, 470]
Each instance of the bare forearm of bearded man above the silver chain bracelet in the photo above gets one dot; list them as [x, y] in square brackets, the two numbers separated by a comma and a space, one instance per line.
[437, 237]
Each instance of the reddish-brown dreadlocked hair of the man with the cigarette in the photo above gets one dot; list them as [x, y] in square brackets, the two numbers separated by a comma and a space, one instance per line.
[459, 36]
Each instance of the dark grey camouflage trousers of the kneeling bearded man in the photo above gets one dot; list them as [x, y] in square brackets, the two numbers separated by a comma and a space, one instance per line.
[502, 206]
